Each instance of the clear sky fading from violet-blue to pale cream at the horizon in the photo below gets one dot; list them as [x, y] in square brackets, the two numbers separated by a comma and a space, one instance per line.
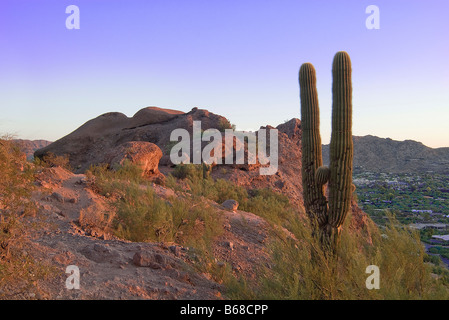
[236, 58]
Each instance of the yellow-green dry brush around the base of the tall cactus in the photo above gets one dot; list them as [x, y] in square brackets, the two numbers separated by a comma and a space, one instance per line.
[307, 270]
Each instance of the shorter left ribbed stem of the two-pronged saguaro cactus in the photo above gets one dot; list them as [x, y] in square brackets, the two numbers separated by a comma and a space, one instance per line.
[314, 199]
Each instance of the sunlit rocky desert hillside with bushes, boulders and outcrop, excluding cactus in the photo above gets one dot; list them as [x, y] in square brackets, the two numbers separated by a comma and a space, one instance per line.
[107, 199]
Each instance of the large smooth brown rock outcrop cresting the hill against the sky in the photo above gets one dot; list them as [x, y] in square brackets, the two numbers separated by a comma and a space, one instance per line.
[89, 144]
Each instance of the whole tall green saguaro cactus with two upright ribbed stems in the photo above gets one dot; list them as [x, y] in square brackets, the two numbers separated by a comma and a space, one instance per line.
[330, 214]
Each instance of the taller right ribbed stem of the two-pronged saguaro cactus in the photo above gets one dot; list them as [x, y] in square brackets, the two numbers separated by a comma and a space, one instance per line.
[341, 146]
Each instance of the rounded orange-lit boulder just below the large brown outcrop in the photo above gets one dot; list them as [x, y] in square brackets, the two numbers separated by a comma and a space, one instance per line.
[144, 154]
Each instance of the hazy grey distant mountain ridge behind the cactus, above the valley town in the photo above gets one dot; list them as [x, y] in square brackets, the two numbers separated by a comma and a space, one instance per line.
[386, 155]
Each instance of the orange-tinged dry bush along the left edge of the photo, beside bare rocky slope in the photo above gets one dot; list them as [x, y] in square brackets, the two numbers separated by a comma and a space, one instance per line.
[19, 272]
